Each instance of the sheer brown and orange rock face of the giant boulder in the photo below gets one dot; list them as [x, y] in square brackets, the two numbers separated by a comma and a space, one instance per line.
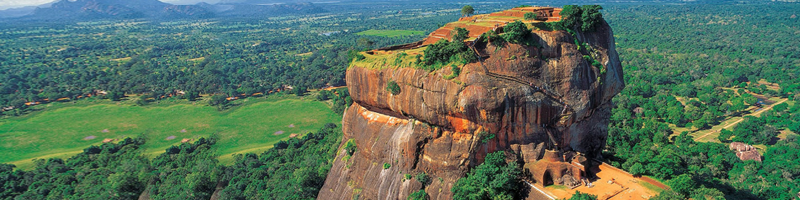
[444, 127]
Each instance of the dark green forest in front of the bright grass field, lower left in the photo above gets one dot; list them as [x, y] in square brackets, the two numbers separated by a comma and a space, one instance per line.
[292, 169]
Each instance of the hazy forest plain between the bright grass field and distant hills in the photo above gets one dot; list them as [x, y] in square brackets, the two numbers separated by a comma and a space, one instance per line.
[230, 57]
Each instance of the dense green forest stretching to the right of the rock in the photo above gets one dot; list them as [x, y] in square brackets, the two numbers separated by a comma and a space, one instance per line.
[711, 57]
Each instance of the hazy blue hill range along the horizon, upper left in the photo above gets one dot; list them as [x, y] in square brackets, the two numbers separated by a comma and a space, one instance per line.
[127, 9]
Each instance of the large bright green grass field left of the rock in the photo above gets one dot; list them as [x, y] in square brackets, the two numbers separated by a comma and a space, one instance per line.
[252, 127]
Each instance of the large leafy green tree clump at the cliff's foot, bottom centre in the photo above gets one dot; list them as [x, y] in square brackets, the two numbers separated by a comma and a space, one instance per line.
[493, 179]
